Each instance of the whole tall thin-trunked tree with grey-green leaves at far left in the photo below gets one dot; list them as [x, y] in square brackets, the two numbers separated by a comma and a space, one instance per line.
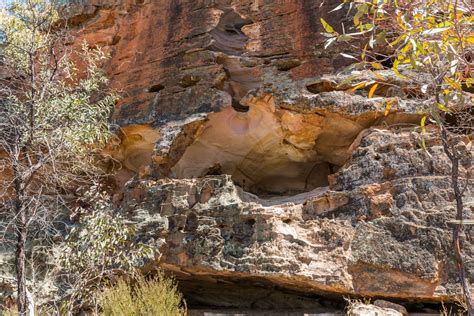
[54, 119]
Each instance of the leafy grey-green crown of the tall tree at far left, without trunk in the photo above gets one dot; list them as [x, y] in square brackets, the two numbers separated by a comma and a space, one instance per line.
[67, 108]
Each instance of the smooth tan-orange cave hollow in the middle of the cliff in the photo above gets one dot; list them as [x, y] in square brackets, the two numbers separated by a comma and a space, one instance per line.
[262, 156]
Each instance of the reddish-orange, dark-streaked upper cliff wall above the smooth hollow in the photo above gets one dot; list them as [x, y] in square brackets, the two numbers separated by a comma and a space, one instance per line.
[179, 60]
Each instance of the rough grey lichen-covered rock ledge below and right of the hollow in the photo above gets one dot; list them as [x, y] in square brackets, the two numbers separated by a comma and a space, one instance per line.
[388, 237]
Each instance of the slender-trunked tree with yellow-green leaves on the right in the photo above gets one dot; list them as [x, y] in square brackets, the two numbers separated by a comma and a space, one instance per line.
[429, 46]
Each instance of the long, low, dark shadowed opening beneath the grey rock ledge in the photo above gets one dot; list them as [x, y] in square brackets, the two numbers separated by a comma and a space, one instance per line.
[253, 295]
